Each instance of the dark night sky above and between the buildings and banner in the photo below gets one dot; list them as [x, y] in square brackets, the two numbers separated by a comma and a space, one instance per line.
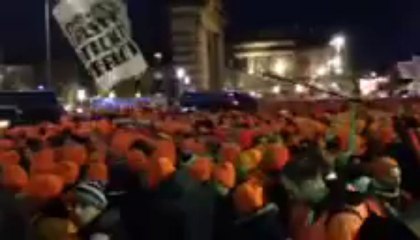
[380, 31]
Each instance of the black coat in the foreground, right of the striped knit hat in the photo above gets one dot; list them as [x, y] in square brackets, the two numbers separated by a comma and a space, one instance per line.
[154, 214]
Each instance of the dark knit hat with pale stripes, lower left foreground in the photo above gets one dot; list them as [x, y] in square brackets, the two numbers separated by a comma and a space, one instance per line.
[91, 193]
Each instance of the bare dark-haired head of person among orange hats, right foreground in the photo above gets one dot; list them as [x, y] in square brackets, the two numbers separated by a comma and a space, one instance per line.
[303, 179]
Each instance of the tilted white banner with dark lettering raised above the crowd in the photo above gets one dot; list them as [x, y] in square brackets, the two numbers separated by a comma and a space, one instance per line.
[99, 31]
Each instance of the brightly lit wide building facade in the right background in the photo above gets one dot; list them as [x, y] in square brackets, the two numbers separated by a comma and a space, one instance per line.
[297, 59]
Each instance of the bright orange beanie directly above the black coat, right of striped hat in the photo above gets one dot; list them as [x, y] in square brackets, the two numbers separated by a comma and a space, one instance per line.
[159, 170]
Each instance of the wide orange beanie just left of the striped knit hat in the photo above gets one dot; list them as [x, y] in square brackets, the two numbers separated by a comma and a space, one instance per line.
[44, 186]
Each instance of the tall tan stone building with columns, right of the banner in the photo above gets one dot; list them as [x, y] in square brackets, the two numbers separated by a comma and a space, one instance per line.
[198, 41]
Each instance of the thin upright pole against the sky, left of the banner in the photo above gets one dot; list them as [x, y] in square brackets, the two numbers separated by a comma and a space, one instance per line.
[47, 17]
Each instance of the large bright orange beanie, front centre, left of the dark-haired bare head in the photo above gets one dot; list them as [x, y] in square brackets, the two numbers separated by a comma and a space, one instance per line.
[248, 197]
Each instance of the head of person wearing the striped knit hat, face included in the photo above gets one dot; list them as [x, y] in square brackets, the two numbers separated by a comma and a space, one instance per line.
[90, 202]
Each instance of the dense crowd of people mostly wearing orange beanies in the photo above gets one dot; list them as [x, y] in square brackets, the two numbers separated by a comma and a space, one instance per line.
[153, 174]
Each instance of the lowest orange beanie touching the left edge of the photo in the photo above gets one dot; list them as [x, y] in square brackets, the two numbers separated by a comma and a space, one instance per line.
[14, 177]
